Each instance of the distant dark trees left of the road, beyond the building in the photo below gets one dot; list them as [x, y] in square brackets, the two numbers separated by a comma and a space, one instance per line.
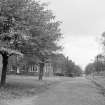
[66, 67]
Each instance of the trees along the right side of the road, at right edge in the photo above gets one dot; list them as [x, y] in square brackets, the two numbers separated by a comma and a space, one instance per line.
[99, 63]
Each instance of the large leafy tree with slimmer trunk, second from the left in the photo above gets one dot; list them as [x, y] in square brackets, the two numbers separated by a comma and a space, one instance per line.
[45, 39]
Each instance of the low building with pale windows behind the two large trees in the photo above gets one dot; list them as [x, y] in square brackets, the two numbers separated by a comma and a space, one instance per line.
[28, 69]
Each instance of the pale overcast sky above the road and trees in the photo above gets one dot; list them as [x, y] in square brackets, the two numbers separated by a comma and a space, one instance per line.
[83, 25]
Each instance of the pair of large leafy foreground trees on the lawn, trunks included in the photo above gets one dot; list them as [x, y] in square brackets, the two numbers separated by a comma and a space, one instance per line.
[27, 28]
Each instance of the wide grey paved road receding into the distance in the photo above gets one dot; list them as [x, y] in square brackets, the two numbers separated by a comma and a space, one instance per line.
[77, 91]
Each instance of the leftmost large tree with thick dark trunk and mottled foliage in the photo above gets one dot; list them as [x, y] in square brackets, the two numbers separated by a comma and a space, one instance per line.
[12, 34]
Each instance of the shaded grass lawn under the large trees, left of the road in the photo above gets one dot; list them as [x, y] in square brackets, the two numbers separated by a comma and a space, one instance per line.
[18, 87]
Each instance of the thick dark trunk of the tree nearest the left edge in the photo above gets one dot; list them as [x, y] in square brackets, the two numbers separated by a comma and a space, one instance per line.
[4, 69]
